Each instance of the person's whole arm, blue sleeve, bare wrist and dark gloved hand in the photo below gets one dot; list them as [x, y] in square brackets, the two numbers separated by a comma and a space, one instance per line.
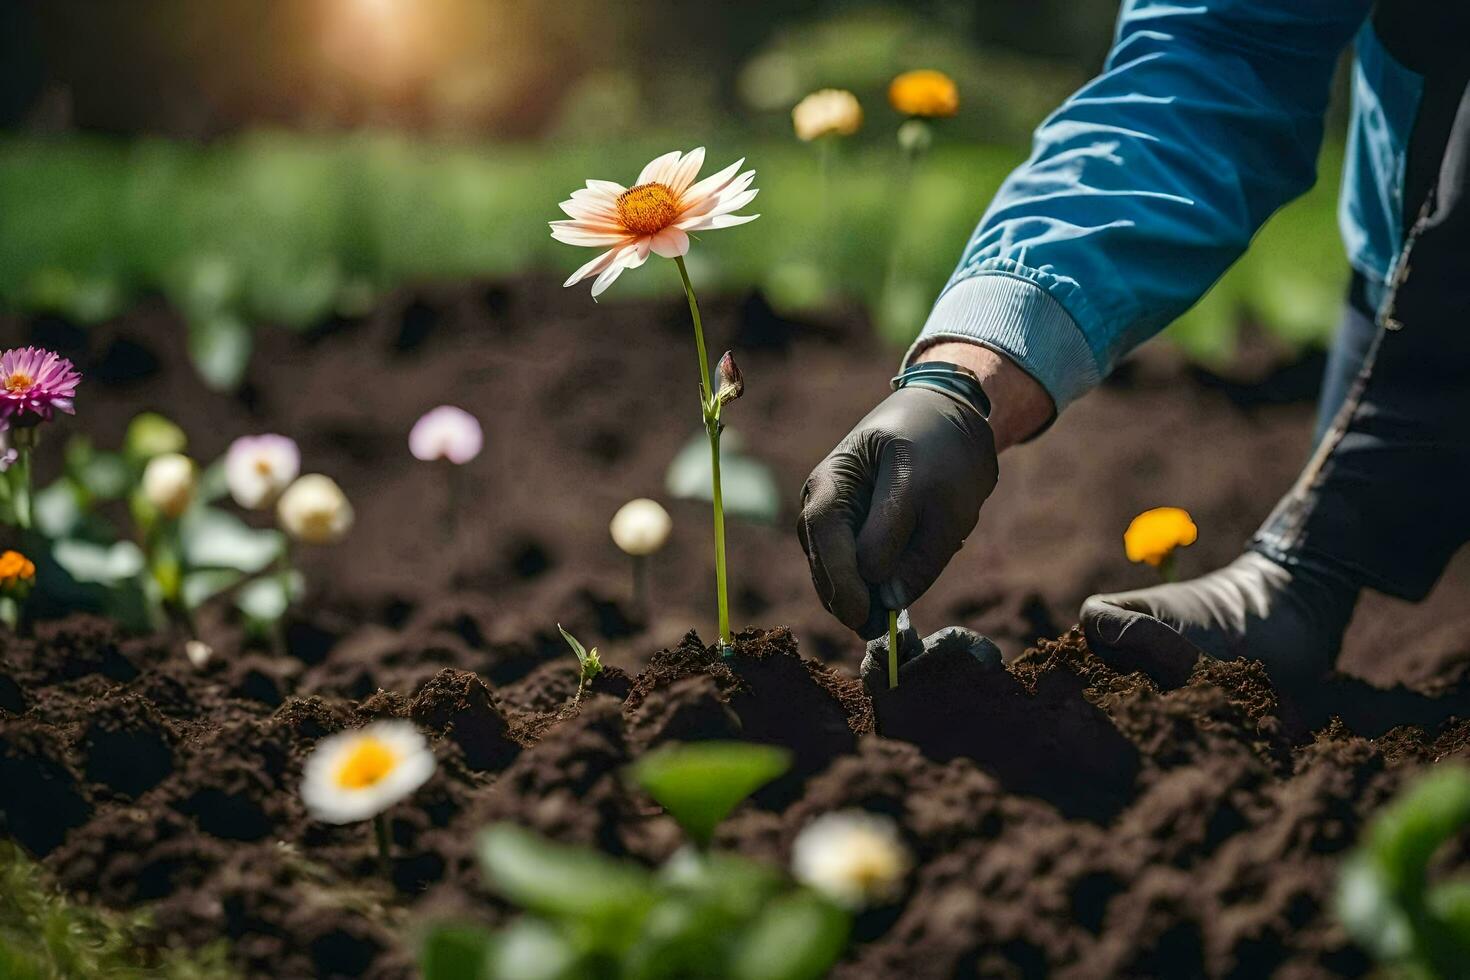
[1140, 192]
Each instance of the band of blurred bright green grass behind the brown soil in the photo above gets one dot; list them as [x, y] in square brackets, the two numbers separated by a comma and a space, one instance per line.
[287, 230]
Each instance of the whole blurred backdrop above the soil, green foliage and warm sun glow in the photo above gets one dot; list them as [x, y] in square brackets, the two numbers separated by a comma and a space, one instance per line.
[282, 161]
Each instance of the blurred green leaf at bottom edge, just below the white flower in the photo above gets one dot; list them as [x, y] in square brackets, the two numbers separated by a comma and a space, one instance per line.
[797, 938]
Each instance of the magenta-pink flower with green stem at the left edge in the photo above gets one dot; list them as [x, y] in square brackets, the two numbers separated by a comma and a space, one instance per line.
[35, 386]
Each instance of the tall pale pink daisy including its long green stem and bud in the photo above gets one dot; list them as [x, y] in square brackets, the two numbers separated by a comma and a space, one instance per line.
[656, 215]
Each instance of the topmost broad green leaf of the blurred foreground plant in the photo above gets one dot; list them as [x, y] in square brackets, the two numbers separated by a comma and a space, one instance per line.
[702, 782]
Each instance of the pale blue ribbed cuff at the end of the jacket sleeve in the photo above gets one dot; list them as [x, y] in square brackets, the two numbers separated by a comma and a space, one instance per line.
[1017, 318]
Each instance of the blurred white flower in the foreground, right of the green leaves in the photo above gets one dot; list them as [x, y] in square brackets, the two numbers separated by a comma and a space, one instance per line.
[853, 857]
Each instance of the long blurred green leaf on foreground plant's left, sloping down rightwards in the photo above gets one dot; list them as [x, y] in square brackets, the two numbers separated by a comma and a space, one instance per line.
[558, 881]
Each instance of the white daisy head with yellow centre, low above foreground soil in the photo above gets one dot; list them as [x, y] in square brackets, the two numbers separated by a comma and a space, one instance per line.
[358, 775]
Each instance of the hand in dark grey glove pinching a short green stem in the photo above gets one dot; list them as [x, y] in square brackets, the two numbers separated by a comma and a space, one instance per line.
[884, 514]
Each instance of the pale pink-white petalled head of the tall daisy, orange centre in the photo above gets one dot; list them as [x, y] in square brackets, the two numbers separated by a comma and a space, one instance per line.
[655, 215]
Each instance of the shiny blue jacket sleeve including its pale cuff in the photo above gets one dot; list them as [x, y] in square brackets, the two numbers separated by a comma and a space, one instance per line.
[1147, 184]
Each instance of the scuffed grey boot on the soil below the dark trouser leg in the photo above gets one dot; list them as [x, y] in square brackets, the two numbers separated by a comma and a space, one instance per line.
[1290, 619]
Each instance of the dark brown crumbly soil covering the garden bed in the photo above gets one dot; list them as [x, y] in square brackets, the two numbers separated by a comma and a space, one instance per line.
[1066, 819]
